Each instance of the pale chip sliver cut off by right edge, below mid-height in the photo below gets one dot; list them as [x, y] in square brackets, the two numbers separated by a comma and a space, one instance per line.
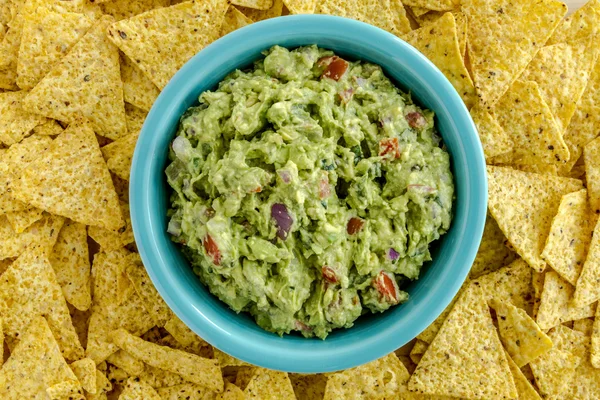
[587, 289]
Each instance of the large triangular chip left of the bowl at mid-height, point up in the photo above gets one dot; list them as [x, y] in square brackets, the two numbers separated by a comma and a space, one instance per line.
[71, 179]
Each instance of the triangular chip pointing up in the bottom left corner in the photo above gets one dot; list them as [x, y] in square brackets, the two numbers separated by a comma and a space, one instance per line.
[35, 364]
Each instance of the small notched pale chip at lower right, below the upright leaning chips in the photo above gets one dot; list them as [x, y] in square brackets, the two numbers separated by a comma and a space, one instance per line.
[556, 306]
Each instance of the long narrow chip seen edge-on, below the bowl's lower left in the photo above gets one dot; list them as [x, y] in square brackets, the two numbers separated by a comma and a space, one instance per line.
[198, 370]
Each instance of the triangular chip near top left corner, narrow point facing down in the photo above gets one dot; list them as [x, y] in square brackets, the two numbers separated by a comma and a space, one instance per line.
[47, 37]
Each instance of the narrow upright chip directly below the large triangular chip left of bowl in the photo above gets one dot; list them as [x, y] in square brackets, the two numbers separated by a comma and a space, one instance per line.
[70, 260]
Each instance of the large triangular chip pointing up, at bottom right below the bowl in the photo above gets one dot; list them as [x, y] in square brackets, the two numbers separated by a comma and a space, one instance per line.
[466, 351]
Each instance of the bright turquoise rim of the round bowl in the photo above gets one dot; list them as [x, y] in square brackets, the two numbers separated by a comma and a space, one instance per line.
[277, 354]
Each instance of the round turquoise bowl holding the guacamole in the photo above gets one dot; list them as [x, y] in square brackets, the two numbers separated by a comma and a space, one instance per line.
[372, 336]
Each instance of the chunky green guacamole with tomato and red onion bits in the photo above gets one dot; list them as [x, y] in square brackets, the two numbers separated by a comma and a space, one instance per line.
[307, 190]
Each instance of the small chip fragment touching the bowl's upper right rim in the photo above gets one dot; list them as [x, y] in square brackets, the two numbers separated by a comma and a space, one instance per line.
[494, 139]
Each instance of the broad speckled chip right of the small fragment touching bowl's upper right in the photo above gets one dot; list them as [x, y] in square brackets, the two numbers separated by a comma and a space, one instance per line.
[528, 121]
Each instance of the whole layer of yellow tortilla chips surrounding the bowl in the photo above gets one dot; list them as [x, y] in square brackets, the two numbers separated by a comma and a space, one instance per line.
[79, 316]
